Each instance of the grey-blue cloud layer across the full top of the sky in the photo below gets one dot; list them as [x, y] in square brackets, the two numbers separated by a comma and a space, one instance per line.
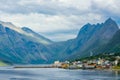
[56, 7]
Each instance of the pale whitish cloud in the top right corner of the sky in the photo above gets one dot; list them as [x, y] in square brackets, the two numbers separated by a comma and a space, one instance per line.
[111, 6]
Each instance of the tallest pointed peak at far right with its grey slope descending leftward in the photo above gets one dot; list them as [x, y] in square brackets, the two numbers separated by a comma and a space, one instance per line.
[102, 36]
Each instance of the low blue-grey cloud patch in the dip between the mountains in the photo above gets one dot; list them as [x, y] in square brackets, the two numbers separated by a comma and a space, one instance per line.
[62, 35]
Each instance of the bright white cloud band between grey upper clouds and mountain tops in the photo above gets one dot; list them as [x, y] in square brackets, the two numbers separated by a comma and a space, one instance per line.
[50, 23]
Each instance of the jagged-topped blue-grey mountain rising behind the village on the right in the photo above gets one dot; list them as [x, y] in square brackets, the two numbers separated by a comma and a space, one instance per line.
[91, 37]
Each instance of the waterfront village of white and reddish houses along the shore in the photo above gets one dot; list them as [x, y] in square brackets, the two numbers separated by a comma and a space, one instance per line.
[97, 63]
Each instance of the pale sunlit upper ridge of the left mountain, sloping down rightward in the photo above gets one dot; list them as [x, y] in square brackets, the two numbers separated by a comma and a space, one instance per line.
[27, 32]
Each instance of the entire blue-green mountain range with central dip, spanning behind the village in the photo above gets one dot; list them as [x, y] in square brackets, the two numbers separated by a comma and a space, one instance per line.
[24, 46]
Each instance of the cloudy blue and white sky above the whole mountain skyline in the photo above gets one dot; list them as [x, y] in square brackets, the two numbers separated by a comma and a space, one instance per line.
[58, 20]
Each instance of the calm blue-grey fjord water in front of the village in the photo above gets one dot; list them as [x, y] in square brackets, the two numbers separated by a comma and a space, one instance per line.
[56, 74]
